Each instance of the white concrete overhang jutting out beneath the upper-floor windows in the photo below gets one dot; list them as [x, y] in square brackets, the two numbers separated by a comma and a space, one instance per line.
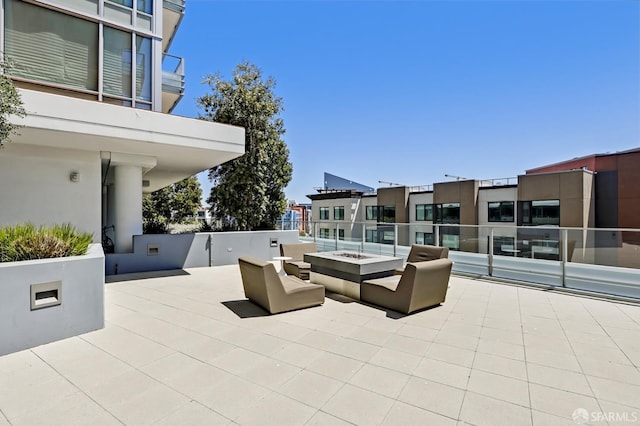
[182, 146]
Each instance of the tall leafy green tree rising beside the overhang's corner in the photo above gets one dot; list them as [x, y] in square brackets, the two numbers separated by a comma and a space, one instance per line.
[248, 191]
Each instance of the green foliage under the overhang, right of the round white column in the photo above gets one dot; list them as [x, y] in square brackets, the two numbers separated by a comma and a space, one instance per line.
[176, 203]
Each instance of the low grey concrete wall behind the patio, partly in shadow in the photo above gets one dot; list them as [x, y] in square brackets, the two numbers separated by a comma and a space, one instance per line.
[163, 252]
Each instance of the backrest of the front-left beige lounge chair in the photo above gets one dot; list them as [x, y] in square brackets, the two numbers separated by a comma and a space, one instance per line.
[259, 280]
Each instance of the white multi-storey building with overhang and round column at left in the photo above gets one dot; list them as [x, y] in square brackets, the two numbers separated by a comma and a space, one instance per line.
[98, 132]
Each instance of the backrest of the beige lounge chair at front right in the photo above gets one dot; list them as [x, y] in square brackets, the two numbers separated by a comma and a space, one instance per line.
[425, 283]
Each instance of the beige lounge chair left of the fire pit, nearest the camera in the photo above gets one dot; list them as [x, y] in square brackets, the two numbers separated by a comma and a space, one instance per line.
[276, 293]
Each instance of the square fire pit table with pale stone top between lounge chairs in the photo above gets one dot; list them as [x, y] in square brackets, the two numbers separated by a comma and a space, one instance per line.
[343, 271]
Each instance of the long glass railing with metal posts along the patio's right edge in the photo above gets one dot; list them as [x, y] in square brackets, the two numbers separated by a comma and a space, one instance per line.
[604, 260]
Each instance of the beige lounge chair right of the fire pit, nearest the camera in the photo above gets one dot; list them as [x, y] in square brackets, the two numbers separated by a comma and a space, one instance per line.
[422, 284]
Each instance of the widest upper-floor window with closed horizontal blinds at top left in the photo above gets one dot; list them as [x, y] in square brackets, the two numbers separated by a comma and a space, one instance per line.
[51, 47]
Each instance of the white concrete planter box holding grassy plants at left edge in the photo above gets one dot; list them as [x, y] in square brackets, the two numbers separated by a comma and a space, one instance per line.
[45, 300]
